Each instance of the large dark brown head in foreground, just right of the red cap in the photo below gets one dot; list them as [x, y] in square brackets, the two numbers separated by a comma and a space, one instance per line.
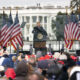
[21, 71]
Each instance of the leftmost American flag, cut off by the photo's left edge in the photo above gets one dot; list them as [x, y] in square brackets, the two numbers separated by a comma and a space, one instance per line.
[3, 30]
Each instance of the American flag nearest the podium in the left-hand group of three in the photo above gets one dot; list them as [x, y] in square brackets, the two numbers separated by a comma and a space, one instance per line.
[16, 34]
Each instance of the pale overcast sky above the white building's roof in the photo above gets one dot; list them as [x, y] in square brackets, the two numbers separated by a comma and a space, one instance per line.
[33, 2]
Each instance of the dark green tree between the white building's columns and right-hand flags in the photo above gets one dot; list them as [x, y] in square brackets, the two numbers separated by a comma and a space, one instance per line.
[58, 26]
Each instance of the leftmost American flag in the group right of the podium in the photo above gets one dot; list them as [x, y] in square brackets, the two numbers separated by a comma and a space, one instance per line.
[69, 42]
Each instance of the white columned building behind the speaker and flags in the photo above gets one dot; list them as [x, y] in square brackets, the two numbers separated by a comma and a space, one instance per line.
[33, 14]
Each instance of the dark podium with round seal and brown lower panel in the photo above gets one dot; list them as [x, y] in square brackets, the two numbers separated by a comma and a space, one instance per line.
[39, 40]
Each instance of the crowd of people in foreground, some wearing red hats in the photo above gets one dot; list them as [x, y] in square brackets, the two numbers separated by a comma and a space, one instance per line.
[57, 66]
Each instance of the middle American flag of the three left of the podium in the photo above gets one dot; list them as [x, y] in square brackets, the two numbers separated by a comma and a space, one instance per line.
[10, 25]
